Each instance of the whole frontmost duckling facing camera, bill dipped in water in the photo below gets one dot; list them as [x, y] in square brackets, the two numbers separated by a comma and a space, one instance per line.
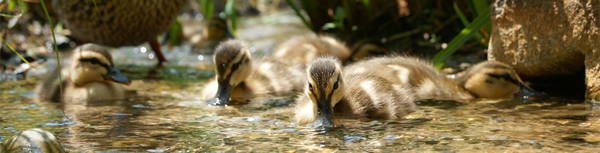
[331, 94]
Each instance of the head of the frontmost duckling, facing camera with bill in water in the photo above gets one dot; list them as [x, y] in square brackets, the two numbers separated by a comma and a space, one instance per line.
[325, 87]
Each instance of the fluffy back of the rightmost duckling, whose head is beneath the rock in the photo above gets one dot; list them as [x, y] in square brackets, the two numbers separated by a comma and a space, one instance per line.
[422, 79]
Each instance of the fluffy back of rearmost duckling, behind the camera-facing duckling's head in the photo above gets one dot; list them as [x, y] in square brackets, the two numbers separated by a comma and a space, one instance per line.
[303, 49]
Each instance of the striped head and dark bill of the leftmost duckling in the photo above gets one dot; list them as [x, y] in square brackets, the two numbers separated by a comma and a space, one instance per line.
[93, 63]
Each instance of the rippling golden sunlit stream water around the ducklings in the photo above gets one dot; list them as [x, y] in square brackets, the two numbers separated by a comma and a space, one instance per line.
[163, 114]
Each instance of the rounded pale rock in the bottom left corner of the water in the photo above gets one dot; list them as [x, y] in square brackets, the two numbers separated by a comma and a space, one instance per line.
[32, 140]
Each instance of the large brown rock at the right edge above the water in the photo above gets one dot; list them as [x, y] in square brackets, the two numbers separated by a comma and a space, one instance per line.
[545, 38]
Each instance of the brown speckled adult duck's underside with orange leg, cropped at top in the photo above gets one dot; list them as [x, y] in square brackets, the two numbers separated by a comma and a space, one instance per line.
[118, 23]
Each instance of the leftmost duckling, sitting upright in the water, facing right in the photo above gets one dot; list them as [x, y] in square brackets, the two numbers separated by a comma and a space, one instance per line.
[90, 76]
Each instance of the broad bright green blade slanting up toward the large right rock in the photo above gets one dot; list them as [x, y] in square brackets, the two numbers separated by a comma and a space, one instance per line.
[465, 34]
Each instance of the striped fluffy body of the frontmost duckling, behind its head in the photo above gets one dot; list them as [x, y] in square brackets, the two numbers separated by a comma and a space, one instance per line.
[373, 97]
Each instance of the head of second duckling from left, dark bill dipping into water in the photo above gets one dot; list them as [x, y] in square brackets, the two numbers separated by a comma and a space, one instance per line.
[233, 65]
